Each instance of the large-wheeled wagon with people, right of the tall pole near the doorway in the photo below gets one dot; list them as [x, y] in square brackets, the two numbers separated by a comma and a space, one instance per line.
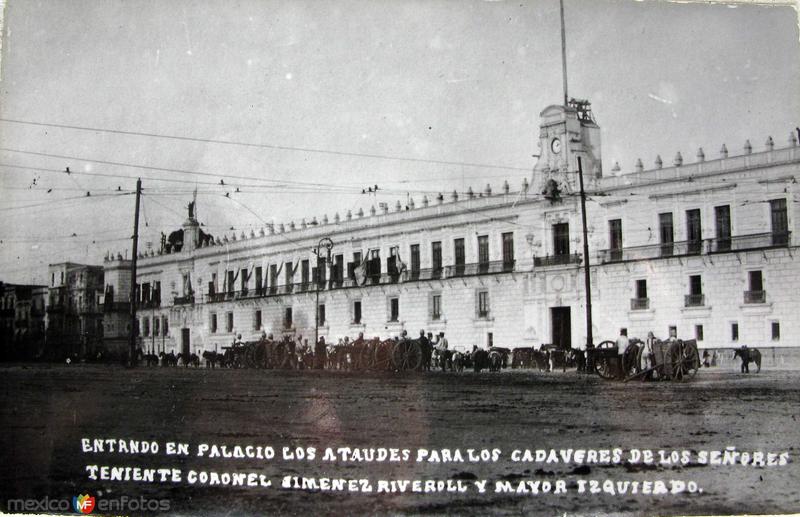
[669, 360]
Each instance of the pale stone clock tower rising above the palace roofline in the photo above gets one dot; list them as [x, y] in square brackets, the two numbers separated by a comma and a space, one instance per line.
[566, 133]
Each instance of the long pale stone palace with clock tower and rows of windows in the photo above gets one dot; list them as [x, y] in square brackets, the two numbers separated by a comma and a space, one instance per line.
[706, 247]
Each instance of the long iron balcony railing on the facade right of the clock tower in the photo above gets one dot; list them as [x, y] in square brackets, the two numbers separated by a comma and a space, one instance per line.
[684, 248]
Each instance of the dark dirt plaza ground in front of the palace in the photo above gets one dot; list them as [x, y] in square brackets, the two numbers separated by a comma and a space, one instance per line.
[47, 409]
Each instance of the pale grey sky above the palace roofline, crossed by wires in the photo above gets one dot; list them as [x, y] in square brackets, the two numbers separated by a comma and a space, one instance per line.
[303, 104]
